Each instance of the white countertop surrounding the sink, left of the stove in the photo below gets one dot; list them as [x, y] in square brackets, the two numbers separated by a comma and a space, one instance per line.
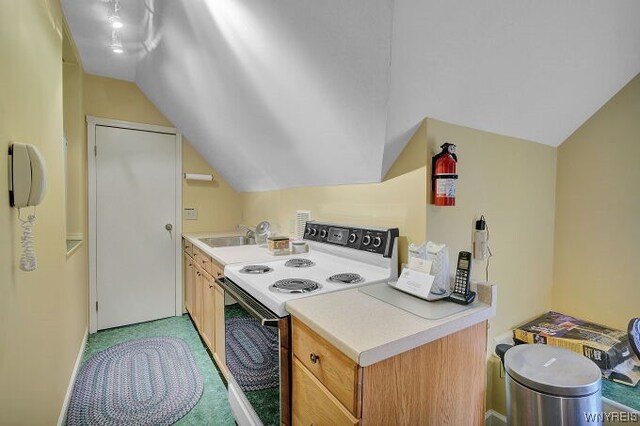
[233, 254]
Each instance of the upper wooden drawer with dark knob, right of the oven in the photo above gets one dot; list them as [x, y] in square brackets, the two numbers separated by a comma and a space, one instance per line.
[331, 367]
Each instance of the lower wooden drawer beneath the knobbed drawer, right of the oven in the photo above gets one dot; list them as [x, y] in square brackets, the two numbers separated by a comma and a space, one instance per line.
[313, 404]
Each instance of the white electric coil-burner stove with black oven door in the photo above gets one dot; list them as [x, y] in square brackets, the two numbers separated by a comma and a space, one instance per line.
[339, 258]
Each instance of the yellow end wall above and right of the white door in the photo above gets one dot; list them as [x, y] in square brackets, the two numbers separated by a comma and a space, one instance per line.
[219, 205]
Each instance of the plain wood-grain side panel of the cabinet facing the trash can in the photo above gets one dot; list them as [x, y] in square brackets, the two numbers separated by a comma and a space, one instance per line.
[452, 370]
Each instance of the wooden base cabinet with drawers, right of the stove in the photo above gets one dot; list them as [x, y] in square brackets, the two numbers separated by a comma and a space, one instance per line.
[439, 383]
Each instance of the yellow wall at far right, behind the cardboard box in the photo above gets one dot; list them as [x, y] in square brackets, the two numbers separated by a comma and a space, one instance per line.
[598, 215]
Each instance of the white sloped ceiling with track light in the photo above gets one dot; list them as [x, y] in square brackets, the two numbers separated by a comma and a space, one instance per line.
[299, 92]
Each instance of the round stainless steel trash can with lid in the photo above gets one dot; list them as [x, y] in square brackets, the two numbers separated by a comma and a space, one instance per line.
[547, 385]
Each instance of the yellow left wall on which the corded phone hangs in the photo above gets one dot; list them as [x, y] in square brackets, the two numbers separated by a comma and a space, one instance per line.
[43, 314]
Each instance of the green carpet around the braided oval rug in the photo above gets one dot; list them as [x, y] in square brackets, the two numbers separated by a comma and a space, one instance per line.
[213, 408]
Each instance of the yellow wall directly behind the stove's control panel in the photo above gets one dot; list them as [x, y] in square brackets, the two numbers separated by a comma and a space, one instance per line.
[399, 201]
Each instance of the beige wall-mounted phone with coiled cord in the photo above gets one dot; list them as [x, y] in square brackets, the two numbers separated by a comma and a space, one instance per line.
[27, 187]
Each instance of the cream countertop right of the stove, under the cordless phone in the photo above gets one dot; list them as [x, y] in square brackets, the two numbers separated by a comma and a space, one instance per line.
[368, 330]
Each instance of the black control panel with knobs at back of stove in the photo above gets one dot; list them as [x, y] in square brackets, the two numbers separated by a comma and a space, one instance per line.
[378, 241]
